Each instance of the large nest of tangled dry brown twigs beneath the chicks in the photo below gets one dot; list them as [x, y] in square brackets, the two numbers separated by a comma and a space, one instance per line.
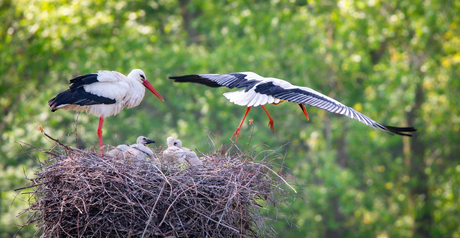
[83, 194]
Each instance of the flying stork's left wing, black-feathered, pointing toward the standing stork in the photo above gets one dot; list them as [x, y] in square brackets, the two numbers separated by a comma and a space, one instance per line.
[233, 80]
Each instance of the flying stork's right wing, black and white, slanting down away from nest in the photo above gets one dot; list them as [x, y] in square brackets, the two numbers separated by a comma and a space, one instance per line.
[308, 96]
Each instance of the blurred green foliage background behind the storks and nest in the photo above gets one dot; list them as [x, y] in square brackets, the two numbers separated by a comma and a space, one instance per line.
[397, 61]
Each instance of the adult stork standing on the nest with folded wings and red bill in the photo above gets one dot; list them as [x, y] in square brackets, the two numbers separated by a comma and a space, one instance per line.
[103, 94]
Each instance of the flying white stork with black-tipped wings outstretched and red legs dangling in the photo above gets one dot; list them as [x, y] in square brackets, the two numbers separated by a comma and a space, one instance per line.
[259, 91]
